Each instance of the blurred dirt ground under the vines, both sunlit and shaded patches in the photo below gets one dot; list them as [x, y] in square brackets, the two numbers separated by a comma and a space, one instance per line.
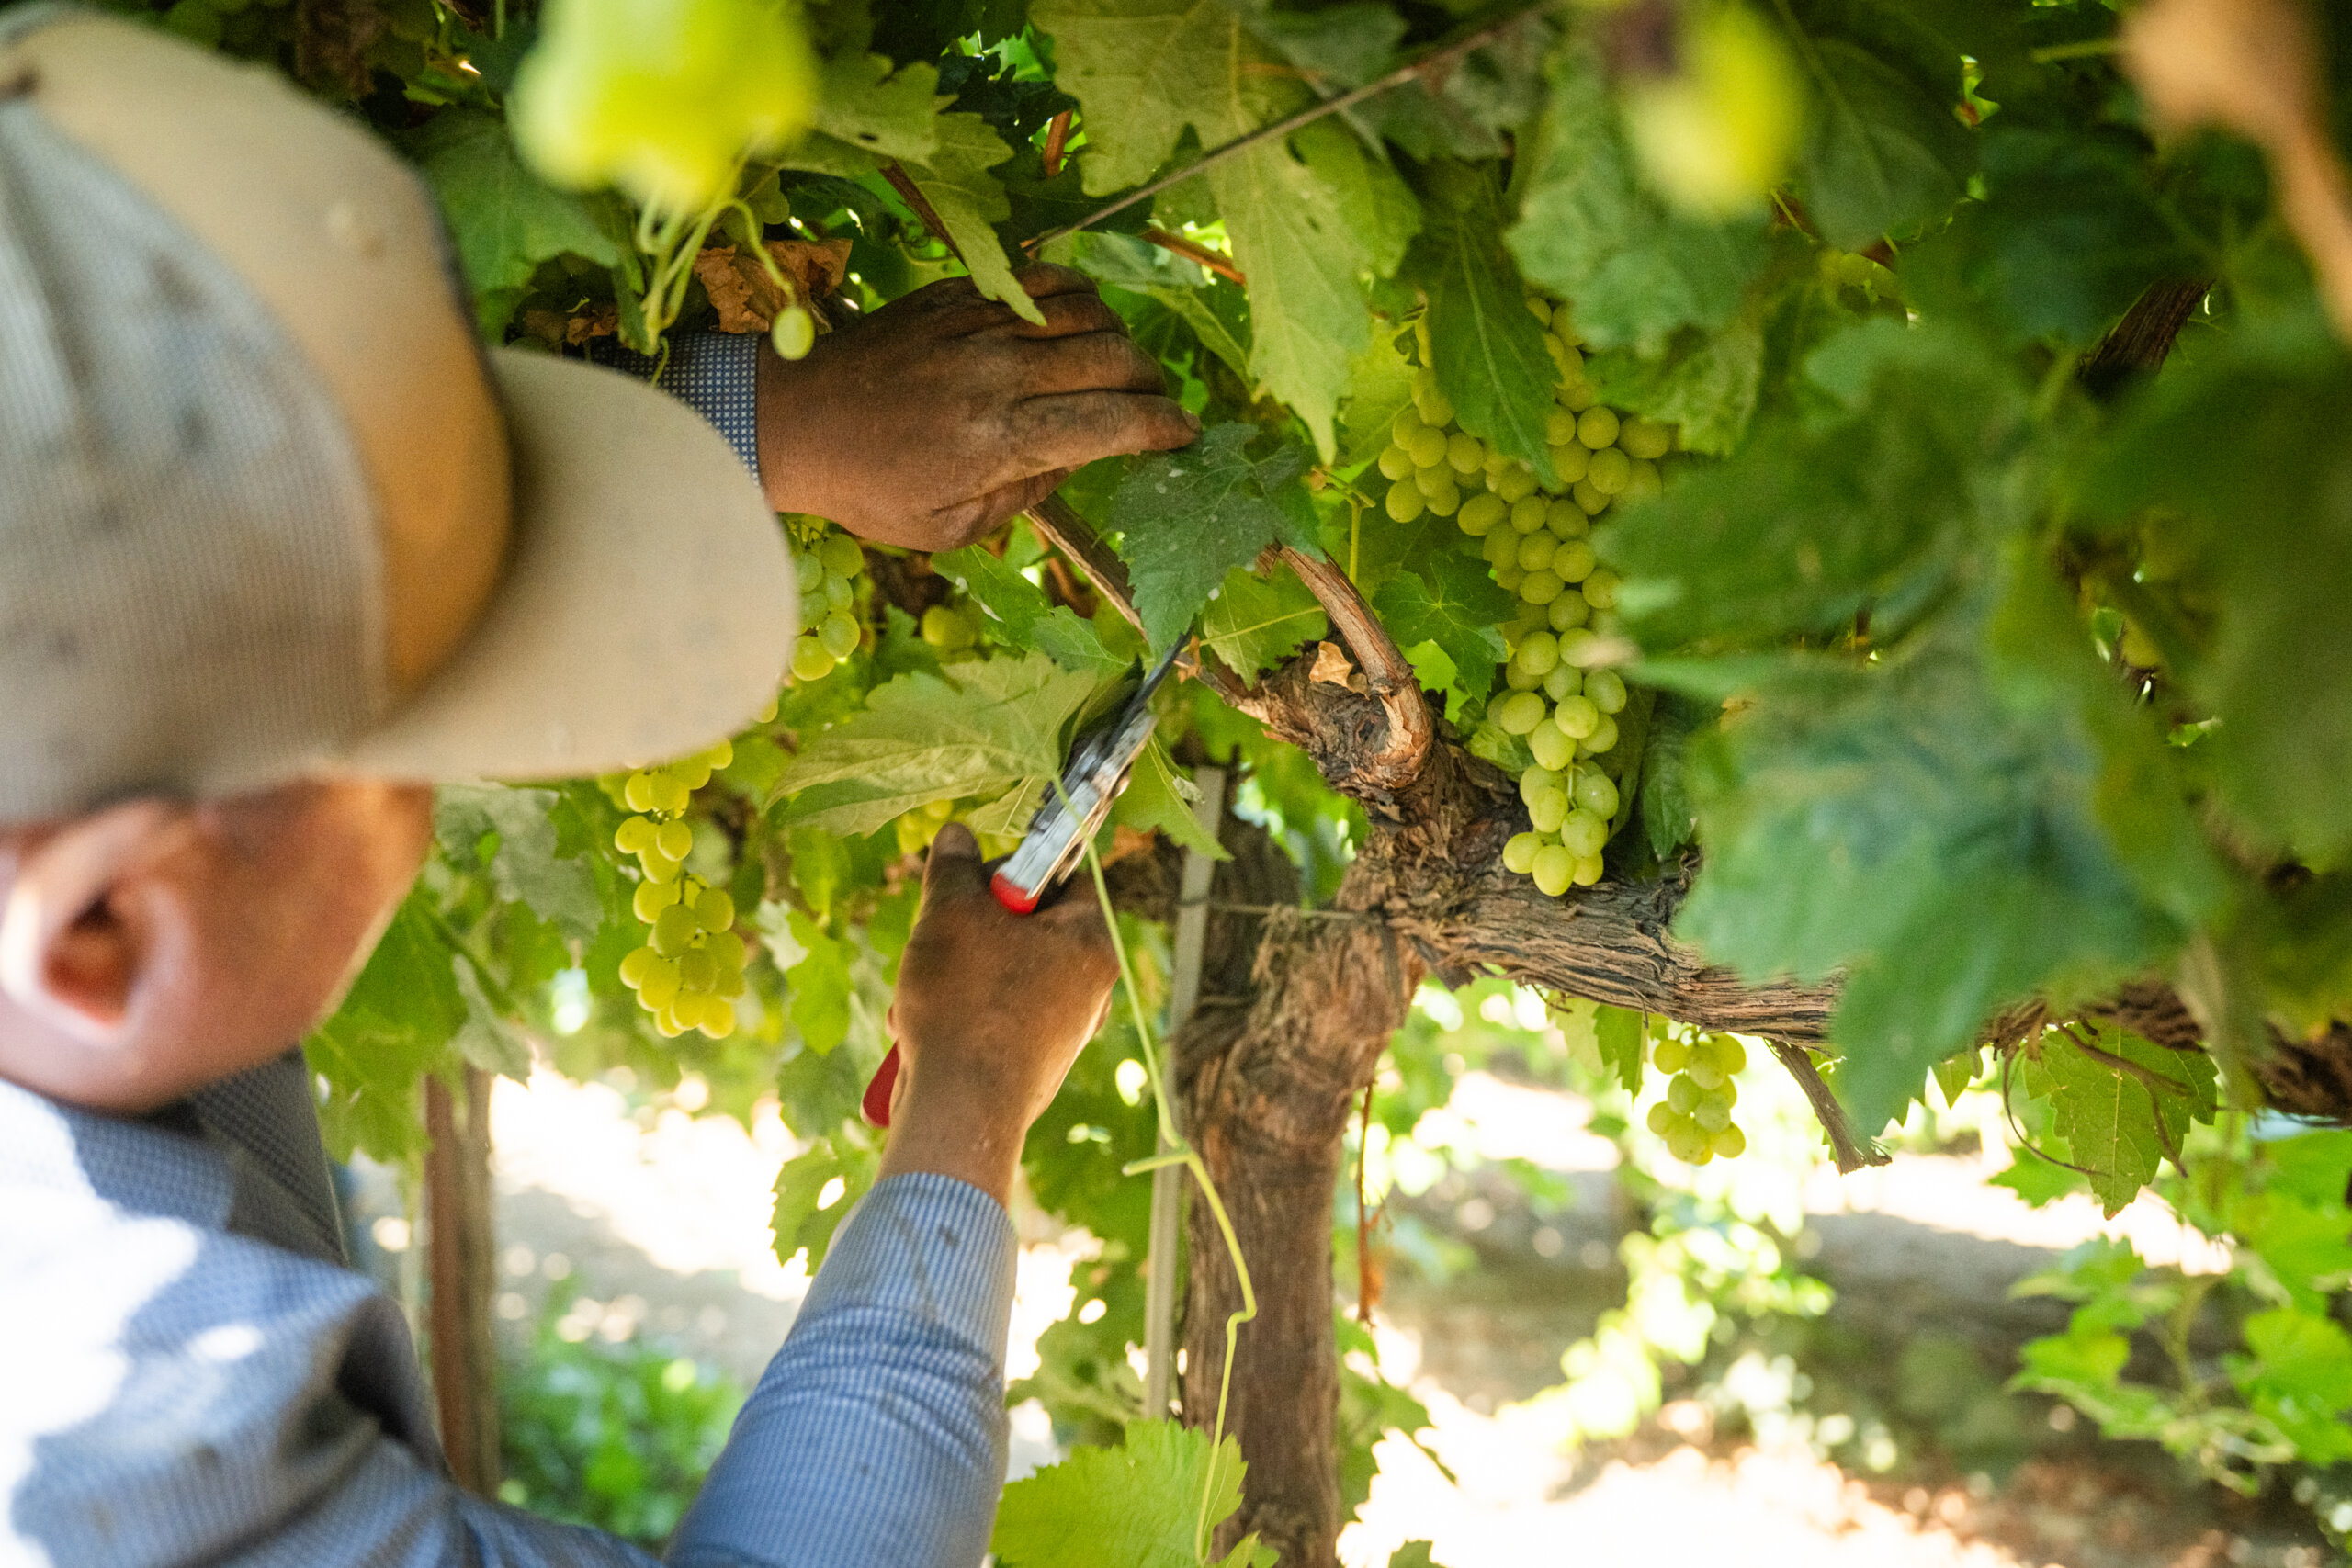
[662, 1226]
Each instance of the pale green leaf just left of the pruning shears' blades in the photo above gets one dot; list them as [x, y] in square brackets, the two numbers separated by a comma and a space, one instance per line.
[975, 730]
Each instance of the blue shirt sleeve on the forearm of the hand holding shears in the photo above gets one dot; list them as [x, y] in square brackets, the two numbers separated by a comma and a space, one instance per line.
[878, 1433]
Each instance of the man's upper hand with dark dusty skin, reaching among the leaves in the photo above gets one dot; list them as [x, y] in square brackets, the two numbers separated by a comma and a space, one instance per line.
[942, 415]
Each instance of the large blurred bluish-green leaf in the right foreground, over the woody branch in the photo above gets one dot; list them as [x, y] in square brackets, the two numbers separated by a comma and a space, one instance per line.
[1909, 826]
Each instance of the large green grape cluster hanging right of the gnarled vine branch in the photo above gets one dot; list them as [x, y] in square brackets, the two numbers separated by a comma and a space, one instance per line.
[1539, 544]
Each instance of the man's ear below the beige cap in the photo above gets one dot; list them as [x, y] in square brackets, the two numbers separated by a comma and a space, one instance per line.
[79, 927]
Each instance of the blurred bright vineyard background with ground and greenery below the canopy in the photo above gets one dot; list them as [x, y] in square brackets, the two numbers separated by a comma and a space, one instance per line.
[1572, 1336]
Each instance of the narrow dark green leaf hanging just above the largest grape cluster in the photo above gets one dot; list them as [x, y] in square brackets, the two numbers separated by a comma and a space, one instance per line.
[1490, 349]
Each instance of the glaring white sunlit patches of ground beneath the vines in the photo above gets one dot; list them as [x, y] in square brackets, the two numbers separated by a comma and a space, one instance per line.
[660, 1221]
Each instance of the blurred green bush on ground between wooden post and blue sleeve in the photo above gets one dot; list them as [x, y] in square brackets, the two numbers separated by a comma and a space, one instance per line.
[617, 1438]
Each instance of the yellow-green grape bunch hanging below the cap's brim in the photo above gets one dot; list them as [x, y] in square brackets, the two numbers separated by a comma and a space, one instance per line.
[690, 970]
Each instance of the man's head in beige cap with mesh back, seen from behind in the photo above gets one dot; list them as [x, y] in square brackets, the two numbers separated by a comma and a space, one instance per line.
[281, 547]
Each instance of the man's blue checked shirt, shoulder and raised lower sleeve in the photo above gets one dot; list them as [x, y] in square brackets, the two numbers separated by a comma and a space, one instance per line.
[189, 1376]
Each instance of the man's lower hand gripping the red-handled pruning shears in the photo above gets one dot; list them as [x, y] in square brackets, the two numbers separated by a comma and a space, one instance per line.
[991, 1012]
